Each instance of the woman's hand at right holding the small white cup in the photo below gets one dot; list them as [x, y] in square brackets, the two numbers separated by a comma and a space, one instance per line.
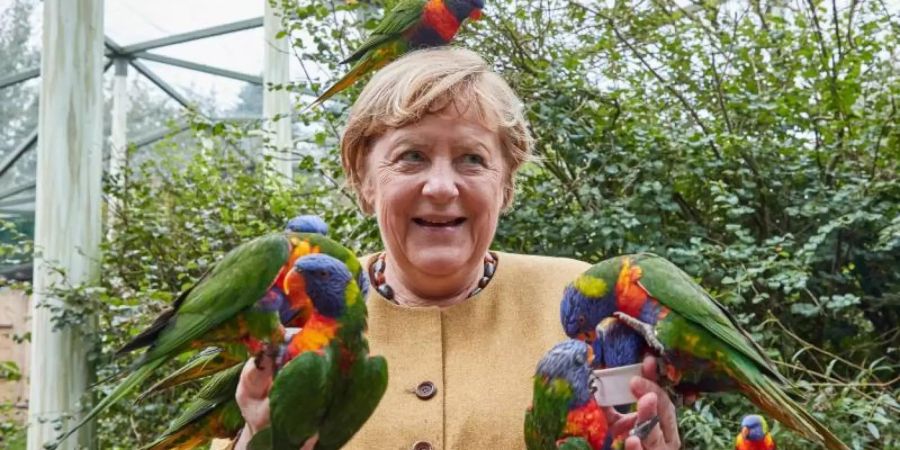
[652, 402]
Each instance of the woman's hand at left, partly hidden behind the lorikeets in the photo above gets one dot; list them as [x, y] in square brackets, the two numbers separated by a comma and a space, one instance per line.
[252, 397]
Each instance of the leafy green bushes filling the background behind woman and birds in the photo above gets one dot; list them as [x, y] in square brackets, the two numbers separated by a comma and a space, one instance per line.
[754, 143]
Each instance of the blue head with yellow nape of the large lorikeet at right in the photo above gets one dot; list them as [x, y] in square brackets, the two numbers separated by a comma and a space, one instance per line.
[584, 304]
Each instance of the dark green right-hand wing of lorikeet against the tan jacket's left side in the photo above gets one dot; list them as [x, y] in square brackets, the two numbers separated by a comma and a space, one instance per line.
[356, 403]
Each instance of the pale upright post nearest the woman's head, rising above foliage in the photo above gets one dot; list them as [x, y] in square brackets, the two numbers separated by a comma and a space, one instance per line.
[276, 71]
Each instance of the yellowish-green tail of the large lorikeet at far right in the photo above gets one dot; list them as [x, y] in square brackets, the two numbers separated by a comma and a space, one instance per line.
[767, 394]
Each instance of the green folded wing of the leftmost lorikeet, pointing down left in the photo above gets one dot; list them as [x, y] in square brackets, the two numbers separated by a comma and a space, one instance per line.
[240, 279]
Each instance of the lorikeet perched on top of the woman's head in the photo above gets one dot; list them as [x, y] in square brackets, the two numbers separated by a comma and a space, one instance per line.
[410, 25]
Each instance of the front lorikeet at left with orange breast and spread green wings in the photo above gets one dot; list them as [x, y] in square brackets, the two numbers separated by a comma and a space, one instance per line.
[331, 385]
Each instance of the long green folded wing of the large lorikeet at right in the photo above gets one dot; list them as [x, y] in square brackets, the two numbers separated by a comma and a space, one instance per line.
[676, 290]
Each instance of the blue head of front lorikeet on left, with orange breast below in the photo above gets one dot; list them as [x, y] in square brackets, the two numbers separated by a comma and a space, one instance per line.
[326, 280]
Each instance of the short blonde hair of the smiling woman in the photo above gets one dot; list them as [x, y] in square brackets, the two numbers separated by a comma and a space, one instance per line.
[425, 82]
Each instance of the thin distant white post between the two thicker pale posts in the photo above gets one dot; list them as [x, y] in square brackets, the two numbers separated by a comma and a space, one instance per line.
[118, 140]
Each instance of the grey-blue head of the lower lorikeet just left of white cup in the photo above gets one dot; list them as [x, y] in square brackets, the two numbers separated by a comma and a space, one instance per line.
[569, 360]
